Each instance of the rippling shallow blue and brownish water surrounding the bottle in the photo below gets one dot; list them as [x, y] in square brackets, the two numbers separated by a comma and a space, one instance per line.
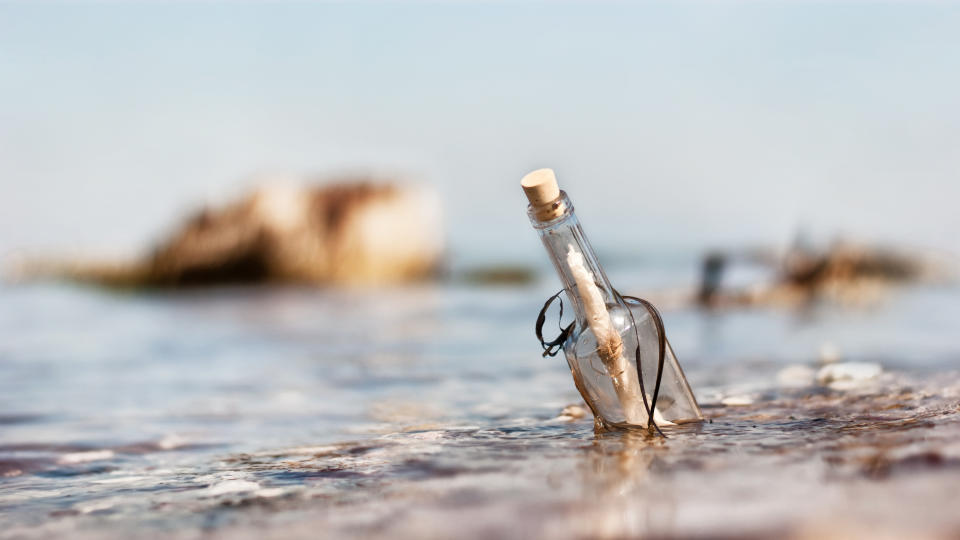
[428, 412]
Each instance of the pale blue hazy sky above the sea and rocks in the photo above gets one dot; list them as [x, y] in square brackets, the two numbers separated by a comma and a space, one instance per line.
[672, 125]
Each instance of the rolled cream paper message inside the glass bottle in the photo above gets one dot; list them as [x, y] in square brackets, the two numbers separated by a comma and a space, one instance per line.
[609, 344]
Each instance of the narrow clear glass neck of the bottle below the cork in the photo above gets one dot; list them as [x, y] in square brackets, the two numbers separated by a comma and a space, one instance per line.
[571, 254]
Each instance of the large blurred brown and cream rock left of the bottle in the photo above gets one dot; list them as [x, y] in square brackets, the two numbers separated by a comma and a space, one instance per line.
[342, 234]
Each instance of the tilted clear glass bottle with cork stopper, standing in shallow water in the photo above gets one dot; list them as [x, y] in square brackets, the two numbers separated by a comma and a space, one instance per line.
[601, 348]
